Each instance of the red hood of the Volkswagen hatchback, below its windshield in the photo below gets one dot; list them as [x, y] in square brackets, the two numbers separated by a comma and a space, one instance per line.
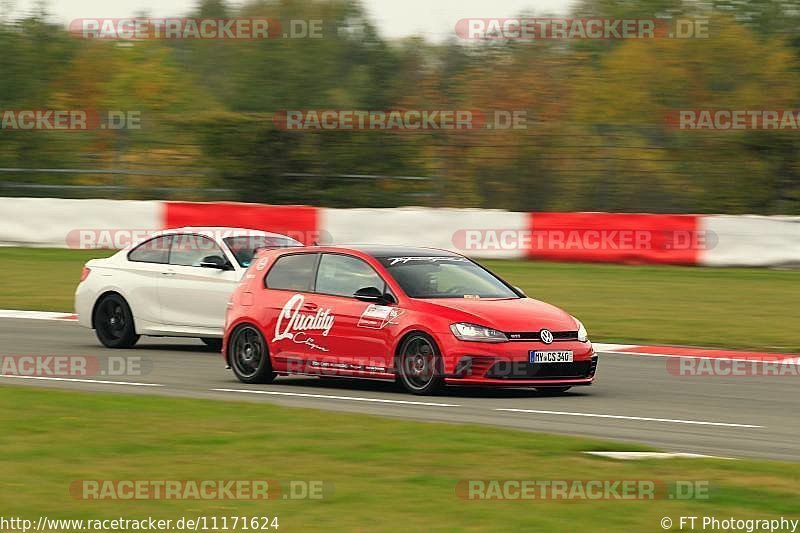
[514, 315]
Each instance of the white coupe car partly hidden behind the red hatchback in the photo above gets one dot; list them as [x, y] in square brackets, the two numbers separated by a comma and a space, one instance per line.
[176, 283]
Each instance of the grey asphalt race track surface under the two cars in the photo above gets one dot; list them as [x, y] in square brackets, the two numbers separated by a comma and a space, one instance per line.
[635, 397]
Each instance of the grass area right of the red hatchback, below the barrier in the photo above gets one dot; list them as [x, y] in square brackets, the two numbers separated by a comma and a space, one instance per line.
[728, 307]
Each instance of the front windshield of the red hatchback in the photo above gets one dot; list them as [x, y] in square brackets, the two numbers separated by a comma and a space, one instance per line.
[445, 277]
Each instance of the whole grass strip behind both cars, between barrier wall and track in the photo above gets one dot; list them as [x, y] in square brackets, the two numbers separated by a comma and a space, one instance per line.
[737, 308]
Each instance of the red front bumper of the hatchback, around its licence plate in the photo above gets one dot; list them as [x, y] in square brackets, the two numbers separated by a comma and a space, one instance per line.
[508, 365]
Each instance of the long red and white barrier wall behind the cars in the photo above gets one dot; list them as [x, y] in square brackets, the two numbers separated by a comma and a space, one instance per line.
[712, 240]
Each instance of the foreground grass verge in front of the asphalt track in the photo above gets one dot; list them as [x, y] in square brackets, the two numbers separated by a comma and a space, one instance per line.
[381, 474]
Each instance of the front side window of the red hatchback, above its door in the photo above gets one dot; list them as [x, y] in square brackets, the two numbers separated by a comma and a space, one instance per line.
[343, 275]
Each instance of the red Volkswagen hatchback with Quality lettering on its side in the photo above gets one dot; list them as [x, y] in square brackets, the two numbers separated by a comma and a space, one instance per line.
[422, 316]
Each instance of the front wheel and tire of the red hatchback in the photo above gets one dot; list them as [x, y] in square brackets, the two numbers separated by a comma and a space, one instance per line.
[419, 365]
